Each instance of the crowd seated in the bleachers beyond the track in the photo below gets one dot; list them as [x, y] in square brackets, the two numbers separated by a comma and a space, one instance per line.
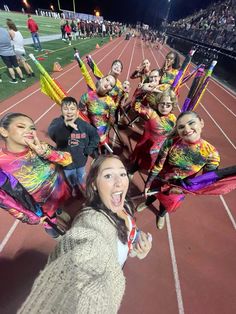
[214, 25]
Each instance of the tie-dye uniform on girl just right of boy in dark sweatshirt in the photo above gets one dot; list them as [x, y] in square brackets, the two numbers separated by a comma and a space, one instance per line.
[99, 110]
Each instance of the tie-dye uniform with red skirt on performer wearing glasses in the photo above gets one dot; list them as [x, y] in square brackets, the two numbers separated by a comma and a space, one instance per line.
[156, 129]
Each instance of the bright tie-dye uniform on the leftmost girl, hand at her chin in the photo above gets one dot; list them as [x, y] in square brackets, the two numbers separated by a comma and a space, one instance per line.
[40, 177]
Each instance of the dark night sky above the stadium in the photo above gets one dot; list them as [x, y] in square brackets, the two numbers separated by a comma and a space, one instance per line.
[147, 11]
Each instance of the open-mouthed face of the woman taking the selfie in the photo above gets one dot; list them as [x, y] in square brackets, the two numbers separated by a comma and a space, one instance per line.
[112, 184]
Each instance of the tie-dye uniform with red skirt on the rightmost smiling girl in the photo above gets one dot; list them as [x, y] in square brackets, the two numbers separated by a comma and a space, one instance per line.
[179, 160]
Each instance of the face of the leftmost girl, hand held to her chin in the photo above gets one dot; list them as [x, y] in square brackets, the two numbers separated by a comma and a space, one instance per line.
[20, 129]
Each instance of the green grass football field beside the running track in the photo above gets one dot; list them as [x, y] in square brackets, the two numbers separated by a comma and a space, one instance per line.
[56, 50]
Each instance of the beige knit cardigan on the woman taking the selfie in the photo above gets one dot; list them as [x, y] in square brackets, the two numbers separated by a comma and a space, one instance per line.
[82, 274]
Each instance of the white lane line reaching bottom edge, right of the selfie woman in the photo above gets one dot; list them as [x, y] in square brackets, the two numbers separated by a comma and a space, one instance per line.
[175, 267]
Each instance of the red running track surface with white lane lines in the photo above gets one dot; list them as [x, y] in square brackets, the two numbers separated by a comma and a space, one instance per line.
[191, 268]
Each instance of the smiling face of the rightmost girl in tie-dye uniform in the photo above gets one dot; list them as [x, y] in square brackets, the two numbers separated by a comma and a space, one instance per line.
[189, 128]
